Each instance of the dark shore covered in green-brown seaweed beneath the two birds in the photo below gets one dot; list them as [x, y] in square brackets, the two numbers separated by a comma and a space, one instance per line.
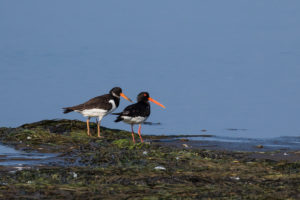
[113, 167]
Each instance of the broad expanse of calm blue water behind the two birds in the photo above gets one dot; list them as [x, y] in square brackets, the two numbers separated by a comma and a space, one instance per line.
[215, 65]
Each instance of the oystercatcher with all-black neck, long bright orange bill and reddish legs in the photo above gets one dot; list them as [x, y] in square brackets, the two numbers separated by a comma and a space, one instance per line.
[137, 113]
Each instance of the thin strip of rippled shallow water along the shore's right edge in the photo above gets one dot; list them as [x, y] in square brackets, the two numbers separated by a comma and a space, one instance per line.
[280, 145]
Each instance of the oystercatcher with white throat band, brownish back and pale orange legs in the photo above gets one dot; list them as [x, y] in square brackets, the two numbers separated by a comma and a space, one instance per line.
[99, 107]
